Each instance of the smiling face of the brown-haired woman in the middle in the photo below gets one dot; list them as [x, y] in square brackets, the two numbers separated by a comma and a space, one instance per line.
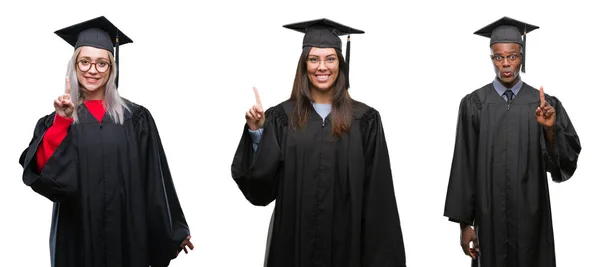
[322, 68]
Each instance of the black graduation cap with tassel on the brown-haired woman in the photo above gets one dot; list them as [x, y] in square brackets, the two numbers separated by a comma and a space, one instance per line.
[324, 33]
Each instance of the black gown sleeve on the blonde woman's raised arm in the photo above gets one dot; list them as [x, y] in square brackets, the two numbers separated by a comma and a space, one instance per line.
[58, 180]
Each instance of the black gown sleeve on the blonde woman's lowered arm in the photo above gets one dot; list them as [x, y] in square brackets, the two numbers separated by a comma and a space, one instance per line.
[168, 227]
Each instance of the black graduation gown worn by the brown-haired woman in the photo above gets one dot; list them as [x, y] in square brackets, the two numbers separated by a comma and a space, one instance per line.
[335, 196]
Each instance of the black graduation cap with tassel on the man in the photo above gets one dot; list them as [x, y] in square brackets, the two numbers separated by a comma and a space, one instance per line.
[508, 30]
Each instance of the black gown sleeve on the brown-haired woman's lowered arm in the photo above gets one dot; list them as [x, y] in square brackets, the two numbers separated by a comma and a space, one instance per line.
[383, 243]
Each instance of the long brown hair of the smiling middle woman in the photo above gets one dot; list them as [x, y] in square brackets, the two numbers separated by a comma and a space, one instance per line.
[341, 108]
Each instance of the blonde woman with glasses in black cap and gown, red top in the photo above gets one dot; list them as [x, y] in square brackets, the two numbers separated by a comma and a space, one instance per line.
[99, 158]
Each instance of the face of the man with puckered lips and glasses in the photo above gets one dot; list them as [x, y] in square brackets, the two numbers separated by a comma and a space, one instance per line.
[507, 62]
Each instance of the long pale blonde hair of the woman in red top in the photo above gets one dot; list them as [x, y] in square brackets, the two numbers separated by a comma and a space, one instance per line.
[113, 103]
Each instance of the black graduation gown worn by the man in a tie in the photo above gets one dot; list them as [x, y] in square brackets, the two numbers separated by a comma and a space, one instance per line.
[498, 180]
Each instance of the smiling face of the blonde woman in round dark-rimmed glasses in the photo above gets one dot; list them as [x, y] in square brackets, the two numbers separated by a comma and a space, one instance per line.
[93, 69]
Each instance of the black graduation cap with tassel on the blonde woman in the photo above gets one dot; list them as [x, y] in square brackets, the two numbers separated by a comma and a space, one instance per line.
[99, 33]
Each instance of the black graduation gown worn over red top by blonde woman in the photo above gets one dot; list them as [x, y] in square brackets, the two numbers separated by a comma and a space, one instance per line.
[114, 199]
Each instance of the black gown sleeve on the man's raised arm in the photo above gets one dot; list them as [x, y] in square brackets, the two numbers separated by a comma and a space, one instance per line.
[561, 161]
